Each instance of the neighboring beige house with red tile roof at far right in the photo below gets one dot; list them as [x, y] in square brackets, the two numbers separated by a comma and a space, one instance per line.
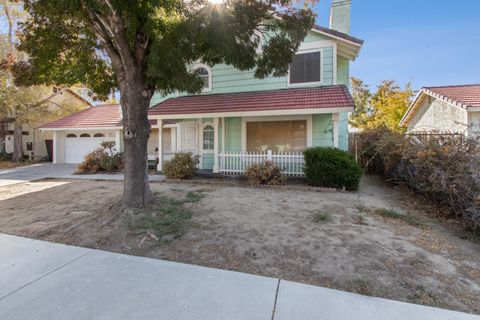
[446, 109]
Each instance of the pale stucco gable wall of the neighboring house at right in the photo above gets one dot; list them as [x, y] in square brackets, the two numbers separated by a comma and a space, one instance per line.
[437, 115]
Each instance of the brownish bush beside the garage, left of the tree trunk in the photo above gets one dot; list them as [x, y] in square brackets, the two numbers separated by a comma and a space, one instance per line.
[102, 159]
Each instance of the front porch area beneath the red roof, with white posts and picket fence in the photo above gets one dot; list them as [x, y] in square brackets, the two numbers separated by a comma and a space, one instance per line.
[231, 144]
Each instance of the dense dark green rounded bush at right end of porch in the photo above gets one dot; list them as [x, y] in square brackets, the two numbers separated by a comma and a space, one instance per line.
[331, 167]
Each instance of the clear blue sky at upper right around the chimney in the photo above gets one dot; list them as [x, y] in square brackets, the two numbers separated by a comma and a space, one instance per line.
[422, 42]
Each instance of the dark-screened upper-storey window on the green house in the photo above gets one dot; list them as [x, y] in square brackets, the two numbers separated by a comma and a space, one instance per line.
[305, 68]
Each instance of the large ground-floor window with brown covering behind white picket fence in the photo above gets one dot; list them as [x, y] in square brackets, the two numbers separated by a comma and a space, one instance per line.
[279, 136]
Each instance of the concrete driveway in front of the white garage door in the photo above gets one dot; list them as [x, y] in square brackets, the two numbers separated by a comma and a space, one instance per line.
[34, 172]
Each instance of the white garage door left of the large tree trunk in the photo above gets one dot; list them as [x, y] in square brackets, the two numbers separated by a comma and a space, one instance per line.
[76, 148]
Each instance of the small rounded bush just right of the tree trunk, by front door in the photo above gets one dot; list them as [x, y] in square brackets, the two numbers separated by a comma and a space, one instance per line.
[182, 166]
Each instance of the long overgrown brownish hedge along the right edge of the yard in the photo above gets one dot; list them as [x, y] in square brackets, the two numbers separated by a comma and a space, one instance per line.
[443, 168]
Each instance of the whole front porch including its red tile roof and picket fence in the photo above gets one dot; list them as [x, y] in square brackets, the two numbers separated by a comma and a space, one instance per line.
[230, 132]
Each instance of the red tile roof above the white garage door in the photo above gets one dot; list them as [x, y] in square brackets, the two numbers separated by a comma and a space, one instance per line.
[108, 115]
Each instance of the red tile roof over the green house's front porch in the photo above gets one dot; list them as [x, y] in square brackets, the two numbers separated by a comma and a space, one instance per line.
[336, 96]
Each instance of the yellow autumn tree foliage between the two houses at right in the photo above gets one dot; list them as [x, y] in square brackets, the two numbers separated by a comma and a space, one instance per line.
[383, 108]
